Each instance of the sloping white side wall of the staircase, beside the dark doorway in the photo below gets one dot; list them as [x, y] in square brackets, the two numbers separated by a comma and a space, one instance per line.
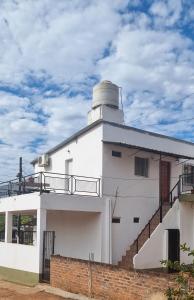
[155, 248]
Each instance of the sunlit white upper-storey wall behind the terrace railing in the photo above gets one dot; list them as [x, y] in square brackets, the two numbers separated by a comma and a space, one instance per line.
[86, 152]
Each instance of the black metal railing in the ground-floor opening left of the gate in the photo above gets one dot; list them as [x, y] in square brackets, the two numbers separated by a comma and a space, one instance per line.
[25, 237]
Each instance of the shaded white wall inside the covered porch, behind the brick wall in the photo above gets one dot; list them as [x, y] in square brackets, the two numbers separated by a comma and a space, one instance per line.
[77, 233]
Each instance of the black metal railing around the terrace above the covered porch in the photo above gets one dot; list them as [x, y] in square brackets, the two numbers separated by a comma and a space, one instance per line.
[51, 182]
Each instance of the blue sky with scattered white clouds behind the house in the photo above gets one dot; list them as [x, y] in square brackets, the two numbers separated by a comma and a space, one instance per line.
[53, 52]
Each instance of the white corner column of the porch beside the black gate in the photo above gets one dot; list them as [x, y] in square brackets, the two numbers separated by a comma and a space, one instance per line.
[41, 227]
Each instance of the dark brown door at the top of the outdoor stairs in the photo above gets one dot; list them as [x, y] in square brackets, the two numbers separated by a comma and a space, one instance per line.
[164, 180]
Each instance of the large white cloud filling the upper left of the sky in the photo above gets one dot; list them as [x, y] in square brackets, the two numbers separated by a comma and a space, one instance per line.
[62, 40]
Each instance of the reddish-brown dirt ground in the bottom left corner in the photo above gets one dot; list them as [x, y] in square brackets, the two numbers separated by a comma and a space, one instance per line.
[18, 292]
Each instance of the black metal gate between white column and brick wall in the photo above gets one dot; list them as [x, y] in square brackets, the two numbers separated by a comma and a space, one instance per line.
[48, 250]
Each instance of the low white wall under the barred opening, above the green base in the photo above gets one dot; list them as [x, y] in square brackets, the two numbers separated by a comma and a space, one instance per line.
[20, 257]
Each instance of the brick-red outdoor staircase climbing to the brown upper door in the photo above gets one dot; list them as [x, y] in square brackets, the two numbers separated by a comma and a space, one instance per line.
[127, 259]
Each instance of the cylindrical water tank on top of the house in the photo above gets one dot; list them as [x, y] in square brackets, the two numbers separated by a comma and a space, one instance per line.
[105, 93]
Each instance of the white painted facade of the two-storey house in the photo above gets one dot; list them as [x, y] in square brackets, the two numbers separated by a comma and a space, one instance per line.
[85, 165]
